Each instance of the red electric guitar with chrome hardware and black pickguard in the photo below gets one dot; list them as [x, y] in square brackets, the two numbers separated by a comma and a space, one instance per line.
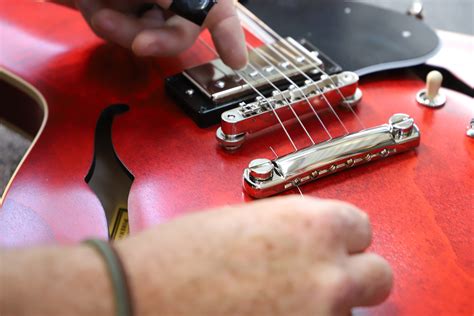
[123, 143]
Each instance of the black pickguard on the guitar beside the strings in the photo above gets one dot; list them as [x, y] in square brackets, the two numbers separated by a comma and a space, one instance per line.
[359, 37]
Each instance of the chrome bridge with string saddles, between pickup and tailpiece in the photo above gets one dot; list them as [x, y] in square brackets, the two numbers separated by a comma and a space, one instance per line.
[252, 117]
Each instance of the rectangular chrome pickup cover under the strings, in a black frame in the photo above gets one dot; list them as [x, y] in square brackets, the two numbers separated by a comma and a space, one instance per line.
[220, 83]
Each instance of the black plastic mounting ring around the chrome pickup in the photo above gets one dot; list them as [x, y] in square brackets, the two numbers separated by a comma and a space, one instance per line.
[206, 112]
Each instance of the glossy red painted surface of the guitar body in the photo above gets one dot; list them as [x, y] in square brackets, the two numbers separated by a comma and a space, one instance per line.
[420, 203]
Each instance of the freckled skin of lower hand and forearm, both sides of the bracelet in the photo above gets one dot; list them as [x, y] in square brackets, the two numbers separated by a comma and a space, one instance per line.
[284, 256]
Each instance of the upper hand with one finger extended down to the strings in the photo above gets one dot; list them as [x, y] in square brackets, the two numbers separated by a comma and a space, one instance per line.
[157, 32]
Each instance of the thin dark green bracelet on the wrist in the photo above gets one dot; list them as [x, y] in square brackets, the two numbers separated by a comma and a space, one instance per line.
[117, 274]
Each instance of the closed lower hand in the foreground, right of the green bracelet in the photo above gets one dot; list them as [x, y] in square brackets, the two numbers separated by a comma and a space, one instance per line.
[286, 256]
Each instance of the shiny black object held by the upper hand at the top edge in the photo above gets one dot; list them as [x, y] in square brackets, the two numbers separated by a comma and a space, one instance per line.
[195, 11]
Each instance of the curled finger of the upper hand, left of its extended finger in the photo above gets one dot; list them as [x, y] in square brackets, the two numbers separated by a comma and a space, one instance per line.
[173, 37]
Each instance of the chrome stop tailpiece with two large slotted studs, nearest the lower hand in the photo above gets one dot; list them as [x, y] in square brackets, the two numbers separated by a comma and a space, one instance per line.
[309, 164]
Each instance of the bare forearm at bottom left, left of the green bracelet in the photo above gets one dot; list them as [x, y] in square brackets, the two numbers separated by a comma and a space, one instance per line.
[54, 281]
